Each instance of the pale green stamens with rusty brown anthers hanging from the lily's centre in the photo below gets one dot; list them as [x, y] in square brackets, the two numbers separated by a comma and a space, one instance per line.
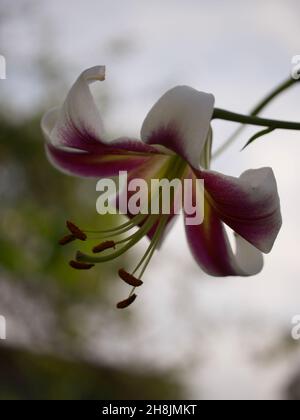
[113, 245]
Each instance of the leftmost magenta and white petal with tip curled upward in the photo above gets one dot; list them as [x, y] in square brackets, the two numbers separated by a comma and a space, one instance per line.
[75, 139]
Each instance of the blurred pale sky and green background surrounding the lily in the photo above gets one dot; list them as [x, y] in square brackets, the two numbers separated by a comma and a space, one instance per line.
[188, 335]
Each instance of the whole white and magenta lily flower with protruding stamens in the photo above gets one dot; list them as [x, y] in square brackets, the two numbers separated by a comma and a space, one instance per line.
[175, 142]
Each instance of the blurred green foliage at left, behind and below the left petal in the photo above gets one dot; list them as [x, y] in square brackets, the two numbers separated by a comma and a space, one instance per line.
[35, 202]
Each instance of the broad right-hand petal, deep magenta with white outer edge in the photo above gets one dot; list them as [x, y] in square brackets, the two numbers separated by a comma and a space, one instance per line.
[249, 204]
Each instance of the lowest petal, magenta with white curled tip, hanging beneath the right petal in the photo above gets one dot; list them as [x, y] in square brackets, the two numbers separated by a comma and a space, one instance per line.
[211, 249]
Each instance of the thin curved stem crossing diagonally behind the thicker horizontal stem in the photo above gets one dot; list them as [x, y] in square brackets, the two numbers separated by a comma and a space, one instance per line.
[255, 111]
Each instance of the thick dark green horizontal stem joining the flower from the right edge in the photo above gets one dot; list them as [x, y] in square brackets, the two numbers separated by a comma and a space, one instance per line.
[252, 120]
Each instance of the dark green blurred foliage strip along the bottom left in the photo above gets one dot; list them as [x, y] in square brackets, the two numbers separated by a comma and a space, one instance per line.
[29, 376]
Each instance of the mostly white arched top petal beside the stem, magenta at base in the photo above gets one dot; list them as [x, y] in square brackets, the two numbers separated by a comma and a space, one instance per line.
[180, 121]
